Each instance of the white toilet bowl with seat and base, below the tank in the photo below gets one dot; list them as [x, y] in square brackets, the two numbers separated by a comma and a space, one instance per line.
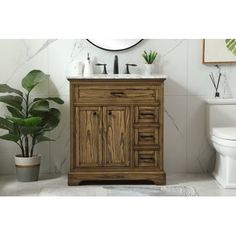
[224, 142]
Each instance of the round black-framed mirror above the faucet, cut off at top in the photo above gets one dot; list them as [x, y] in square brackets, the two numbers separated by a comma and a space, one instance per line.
[114, 44]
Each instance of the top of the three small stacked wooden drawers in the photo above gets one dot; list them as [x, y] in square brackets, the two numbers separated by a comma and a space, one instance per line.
[147, 114]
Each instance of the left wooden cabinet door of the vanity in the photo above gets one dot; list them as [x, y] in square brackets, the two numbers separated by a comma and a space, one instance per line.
[88, 136]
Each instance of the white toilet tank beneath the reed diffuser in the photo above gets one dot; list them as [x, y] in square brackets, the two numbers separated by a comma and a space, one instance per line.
[221, 113]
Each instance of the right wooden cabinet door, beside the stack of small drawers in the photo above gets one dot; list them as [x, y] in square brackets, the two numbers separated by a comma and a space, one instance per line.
[116, 121]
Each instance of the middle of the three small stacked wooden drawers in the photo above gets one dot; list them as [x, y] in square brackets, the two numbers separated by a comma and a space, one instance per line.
[146, 136]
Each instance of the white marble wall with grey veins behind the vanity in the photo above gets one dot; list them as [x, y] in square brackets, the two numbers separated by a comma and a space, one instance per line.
[188, 85]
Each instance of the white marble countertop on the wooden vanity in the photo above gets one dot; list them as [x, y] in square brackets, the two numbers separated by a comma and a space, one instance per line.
[119, 76]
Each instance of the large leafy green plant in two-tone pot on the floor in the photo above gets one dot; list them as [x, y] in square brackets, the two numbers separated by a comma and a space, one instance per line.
[27, 122]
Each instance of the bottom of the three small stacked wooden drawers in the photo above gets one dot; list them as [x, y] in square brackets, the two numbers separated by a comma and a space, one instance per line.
[146, 158]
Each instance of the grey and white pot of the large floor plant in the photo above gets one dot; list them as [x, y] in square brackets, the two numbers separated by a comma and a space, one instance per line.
[27, 168]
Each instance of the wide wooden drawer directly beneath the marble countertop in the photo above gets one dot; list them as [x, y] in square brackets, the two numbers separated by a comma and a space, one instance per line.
[118, 94]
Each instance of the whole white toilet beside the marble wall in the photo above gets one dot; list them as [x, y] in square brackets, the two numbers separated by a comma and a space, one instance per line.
[221, 127]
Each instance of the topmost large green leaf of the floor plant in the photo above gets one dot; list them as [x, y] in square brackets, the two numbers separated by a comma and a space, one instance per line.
[33, 78]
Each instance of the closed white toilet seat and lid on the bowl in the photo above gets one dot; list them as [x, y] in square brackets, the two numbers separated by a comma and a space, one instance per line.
[225, 136]
